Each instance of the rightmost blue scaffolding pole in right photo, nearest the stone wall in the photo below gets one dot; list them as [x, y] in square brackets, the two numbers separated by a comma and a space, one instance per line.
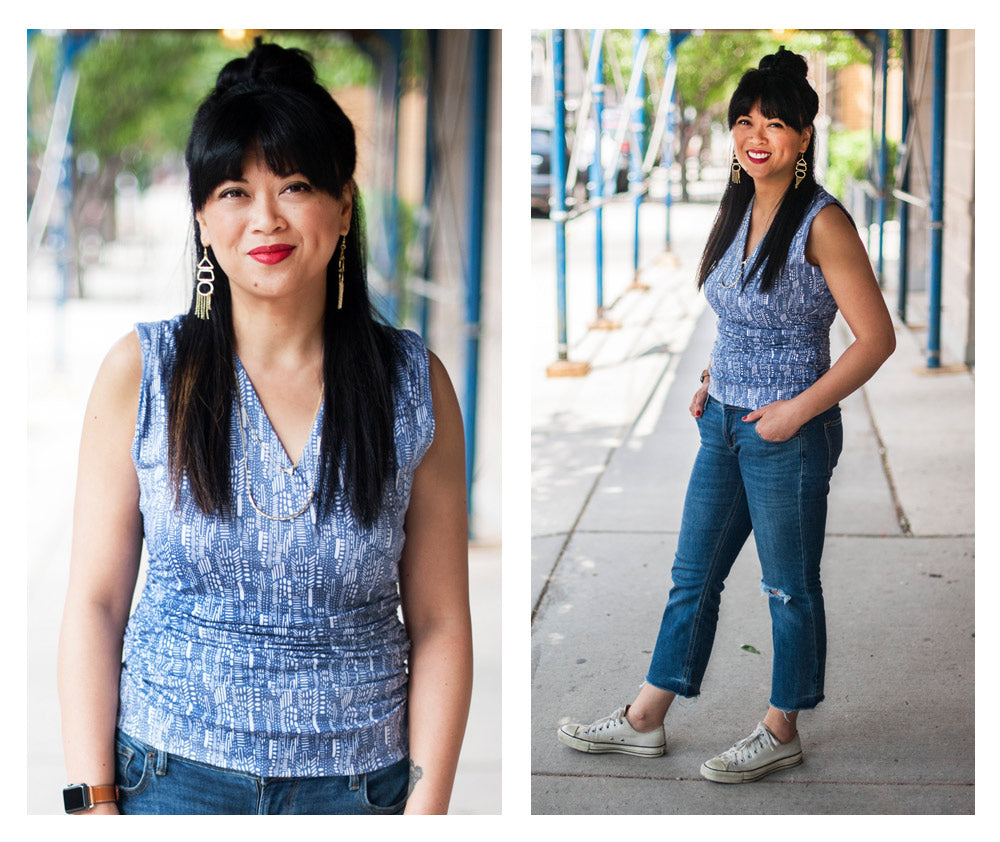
[937, 200]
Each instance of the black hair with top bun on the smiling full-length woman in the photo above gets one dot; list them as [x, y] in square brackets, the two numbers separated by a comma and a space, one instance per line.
[779, 88]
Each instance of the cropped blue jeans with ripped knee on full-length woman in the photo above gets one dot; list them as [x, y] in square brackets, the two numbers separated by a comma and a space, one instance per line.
[742, 483]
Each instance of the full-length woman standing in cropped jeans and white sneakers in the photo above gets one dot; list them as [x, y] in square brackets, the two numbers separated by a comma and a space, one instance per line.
[782, 257]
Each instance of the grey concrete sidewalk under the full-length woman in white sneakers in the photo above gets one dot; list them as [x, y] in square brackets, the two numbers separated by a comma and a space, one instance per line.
[611, 454]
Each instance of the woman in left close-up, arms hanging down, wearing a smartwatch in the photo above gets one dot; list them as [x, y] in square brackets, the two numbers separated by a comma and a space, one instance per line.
[272, 447]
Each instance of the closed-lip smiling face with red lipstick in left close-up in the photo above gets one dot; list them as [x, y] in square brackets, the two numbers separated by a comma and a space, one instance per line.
[273, 235]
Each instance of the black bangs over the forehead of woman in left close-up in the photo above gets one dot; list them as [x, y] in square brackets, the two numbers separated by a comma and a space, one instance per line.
[283, 127]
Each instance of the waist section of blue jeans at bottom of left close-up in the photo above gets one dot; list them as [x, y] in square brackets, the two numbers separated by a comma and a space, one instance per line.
[153, 782]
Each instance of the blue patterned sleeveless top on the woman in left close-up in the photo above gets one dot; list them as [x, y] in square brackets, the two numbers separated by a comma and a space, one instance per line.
[273, 647]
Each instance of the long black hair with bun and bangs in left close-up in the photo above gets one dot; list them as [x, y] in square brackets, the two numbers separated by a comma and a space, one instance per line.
[271, 102]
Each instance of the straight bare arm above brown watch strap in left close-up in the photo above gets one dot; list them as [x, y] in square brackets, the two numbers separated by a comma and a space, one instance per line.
[104, 562]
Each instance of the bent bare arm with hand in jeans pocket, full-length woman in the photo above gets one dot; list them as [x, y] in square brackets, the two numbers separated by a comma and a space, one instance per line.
[835, 247]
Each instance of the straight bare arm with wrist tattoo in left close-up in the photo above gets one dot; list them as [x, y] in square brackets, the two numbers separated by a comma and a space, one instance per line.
[434, 588]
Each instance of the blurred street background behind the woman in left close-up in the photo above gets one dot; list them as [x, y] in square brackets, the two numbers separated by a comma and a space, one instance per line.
[109, 229]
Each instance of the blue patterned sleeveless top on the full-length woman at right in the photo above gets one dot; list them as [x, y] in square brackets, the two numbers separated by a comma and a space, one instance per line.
[770, 346]
